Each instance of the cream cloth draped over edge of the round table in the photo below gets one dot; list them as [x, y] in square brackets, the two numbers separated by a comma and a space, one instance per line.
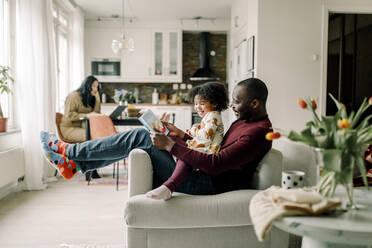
[275, 202]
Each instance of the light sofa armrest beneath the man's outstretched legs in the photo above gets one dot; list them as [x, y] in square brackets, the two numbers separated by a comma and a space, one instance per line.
[139, 172]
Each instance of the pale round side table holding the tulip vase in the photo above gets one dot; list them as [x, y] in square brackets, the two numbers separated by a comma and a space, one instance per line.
[341, 229]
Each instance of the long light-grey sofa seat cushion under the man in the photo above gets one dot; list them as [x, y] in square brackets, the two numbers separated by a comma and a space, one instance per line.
[189, 211]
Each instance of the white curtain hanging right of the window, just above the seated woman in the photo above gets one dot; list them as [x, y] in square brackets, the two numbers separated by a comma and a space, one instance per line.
[76, 41]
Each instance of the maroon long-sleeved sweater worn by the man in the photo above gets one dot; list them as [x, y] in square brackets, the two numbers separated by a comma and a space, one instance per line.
[242, 148]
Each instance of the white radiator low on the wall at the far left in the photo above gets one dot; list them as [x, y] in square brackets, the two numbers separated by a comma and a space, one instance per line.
[11, 165]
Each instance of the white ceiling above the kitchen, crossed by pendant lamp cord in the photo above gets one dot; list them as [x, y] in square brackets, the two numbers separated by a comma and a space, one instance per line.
[157, 9]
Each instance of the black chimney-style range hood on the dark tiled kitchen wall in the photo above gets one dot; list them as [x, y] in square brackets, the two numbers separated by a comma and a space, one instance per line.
[204, 73]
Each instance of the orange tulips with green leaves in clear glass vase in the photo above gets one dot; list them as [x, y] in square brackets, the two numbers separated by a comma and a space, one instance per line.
[338, 141]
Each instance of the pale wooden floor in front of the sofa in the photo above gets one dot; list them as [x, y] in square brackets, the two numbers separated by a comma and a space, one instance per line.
[66, 212]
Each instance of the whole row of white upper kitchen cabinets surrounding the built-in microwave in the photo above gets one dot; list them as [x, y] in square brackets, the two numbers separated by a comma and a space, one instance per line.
[157, 55]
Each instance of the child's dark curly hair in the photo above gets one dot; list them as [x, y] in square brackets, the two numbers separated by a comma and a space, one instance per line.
[213, 92]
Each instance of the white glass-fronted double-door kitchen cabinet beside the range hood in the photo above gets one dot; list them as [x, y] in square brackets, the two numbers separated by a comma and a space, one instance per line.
[167, 55]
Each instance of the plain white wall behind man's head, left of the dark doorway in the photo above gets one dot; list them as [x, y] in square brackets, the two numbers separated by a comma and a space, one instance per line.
[289, 35]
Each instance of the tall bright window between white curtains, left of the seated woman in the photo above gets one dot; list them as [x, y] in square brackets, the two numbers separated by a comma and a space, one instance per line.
[61, 28]
